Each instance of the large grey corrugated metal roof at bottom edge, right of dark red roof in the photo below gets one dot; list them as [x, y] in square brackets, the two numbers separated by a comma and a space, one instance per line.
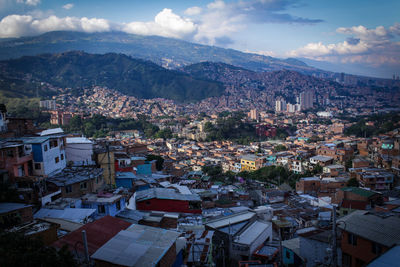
[139, 245]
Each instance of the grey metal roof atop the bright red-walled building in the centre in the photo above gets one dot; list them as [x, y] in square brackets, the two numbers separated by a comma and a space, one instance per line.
[164, 193]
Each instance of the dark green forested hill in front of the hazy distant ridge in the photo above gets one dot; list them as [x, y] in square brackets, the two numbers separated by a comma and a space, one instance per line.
[143, 79]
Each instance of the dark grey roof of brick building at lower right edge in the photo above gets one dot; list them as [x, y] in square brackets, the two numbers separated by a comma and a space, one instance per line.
[378, 228]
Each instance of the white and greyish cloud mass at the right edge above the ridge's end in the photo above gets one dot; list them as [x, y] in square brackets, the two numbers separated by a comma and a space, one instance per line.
[372, 46]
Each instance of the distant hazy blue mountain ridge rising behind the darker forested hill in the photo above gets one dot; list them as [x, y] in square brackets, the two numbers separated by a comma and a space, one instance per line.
[168, 52]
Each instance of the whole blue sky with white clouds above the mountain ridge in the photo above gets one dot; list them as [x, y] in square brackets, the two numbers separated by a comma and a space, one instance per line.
[358, 36]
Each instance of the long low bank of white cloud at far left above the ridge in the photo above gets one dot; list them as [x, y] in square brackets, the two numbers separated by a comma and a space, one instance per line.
[23, 25]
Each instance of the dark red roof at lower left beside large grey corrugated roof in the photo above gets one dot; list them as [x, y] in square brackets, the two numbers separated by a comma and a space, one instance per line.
[97, 234]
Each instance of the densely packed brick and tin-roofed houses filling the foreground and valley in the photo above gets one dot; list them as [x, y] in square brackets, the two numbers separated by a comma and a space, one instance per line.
[308, 196]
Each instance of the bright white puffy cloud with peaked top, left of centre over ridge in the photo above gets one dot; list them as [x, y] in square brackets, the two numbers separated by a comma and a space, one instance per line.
[166, 23]
